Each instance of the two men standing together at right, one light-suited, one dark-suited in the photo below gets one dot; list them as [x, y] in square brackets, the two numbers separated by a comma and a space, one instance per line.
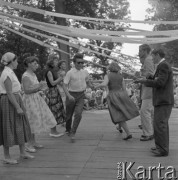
[160, 79]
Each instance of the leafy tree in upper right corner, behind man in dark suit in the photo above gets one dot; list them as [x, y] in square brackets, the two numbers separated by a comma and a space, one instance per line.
[166, 10]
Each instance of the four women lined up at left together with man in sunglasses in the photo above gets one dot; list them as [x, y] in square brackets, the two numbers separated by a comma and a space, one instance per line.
[22, 115]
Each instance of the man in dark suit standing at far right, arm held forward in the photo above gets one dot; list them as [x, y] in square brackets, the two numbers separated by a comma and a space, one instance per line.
[163, 100]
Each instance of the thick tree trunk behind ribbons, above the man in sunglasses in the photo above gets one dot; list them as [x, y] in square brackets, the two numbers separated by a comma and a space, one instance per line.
[60, 8]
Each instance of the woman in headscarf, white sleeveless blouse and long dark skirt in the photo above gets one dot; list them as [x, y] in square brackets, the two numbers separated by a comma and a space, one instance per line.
[14, 125]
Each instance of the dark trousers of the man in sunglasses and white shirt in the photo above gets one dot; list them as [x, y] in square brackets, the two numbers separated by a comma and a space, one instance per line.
[76, 108]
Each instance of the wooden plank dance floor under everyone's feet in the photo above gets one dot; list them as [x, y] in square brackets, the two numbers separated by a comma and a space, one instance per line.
[94, 155]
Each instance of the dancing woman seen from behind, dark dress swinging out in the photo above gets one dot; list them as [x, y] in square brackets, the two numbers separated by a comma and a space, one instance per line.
[121, 107]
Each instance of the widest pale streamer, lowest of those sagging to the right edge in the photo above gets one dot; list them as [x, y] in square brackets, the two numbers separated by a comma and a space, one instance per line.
[83, 33]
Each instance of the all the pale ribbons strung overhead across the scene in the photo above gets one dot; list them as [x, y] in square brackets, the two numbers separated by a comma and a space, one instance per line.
[70, 32]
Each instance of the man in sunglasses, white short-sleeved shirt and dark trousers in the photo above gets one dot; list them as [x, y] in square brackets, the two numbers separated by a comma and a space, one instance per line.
[76, 80]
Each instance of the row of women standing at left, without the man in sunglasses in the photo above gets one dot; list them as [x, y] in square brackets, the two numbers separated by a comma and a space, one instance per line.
[22, 115]
